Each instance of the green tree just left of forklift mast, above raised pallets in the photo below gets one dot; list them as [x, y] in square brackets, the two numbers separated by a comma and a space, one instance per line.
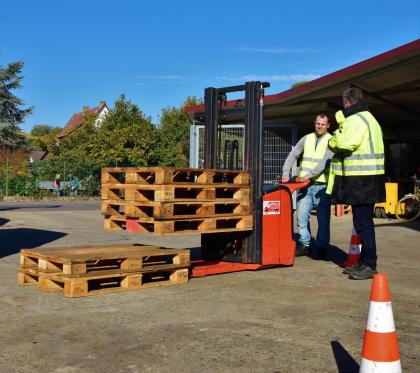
[174, 135]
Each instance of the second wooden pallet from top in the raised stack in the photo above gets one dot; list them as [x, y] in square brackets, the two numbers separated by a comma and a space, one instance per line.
[202, 192]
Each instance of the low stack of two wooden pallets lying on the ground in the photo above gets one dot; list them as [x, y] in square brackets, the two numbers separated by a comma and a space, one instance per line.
[82, 271]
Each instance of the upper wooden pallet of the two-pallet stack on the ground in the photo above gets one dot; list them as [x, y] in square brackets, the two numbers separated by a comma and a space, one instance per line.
[73, 262]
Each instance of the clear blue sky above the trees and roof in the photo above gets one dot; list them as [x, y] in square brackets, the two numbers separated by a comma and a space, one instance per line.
[157, 53]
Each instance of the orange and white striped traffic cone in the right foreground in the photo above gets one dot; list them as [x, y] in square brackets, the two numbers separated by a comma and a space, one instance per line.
[380, 346]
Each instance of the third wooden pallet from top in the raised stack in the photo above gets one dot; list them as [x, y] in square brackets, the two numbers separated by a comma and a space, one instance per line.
[175, 210]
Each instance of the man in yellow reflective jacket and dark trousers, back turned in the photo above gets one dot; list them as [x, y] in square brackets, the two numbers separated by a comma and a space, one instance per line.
[357, 175]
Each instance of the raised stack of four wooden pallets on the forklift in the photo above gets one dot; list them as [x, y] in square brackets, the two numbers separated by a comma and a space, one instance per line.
[176, 200]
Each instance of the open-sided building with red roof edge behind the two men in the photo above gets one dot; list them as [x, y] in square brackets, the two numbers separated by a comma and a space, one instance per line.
[390, 82]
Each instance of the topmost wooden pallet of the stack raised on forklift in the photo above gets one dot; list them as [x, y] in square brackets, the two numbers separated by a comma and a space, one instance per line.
[165, 175]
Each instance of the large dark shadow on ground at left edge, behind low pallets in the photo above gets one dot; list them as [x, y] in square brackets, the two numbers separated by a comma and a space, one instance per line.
[13, 240]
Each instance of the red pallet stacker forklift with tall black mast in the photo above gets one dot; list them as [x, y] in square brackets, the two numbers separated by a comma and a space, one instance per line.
[271, 241]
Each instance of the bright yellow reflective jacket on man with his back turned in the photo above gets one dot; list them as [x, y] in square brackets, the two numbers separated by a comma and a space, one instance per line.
[359, 147]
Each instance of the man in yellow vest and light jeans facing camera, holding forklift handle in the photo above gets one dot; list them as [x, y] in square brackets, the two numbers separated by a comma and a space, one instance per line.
[314, 166]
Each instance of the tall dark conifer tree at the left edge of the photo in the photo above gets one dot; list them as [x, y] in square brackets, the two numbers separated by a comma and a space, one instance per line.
[11, 112]
